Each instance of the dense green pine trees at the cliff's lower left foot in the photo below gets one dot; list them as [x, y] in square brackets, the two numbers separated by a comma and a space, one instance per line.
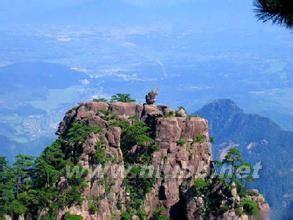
[30, 185]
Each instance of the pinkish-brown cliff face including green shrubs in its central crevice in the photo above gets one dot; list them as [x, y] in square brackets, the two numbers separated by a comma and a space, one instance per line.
[172, 148]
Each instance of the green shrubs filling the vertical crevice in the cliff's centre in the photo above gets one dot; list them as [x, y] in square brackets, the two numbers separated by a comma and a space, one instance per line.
[136, 133]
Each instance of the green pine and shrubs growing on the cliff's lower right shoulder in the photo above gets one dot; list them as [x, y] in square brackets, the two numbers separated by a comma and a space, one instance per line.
[215, 201]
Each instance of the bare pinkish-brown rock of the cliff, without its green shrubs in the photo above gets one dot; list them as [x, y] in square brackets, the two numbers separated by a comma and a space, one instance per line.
[180, 158]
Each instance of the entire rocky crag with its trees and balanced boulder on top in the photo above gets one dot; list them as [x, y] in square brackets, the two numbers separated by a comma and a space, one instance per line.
[123, 160]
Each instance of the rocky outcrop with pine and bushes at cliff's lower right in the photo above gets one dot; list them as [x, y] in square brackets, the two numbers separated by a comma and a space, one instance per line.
[232, 184]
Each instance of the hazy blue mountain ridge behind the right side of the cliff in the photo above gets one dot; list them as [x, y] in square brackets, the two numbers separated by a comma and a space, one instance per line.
[259, 139]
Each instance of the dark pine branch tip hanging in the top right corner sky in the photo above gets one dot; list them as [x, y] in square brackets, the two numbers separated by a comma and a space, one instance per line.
[278, 11]
